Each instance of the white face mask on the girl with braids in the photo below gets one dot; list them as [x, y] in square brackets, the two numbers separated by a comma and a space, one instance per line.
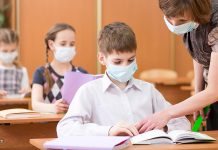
[64, 54]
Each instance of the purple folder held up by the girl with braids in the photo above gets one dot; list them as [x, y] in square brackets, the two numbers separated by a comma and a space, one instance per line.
[72, 82]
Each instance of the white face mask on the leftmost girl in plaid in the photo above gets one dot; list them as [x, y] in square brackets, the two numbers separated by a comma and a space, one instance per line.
[8, 57]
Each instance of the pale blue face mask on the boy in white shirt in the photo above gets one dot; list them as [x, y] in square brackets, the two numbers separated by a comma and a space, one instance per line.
[122, 73]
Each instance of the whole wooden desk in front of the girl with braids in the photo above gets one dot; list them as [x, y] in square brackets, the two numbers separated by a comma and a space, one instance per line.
[15, 133]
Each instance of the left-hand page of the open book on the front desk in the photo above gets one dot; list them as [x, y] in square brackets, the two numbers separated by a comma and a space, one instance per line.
[148, 136]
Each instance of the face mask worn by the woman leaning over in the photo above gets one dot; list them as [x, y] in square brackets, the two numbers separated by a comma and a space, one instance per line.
[181, 29]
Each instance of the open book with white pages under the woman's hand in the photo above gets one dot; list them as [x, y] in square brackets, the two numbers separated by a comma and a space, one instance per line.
[176, 136]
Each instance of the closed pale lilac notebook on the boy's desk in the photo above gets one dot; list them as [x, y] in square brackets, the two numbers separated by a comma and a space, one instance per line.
[89, 143]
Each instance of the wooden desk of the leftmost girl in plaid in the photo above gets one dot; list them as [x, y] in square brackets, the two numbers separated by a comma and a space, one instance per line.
[15, 103]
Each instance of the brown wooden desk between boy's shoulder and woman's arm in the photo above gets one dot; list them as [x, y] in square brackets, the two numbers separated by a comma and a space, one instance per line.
[171, 88]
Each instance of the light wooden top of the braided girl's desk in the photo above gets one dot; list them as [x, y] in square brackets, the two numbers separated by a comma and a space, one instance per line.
[42, 118]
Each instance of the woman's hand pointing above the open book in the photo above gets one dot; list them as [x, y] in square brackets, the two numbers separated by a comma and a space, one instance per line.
[155, 121]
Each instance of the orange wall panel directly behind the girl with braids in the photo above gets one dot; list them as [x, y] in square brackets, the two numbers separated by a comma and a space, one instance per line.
[37, 16]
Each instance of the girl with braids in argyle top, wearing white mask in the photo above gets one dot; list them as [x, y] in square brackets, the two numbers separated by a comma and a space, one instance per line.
[48, 79]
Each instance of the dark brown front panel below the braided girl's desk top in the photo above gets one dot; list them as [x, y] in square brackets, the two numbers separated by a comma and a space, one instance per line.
[16, 136]
